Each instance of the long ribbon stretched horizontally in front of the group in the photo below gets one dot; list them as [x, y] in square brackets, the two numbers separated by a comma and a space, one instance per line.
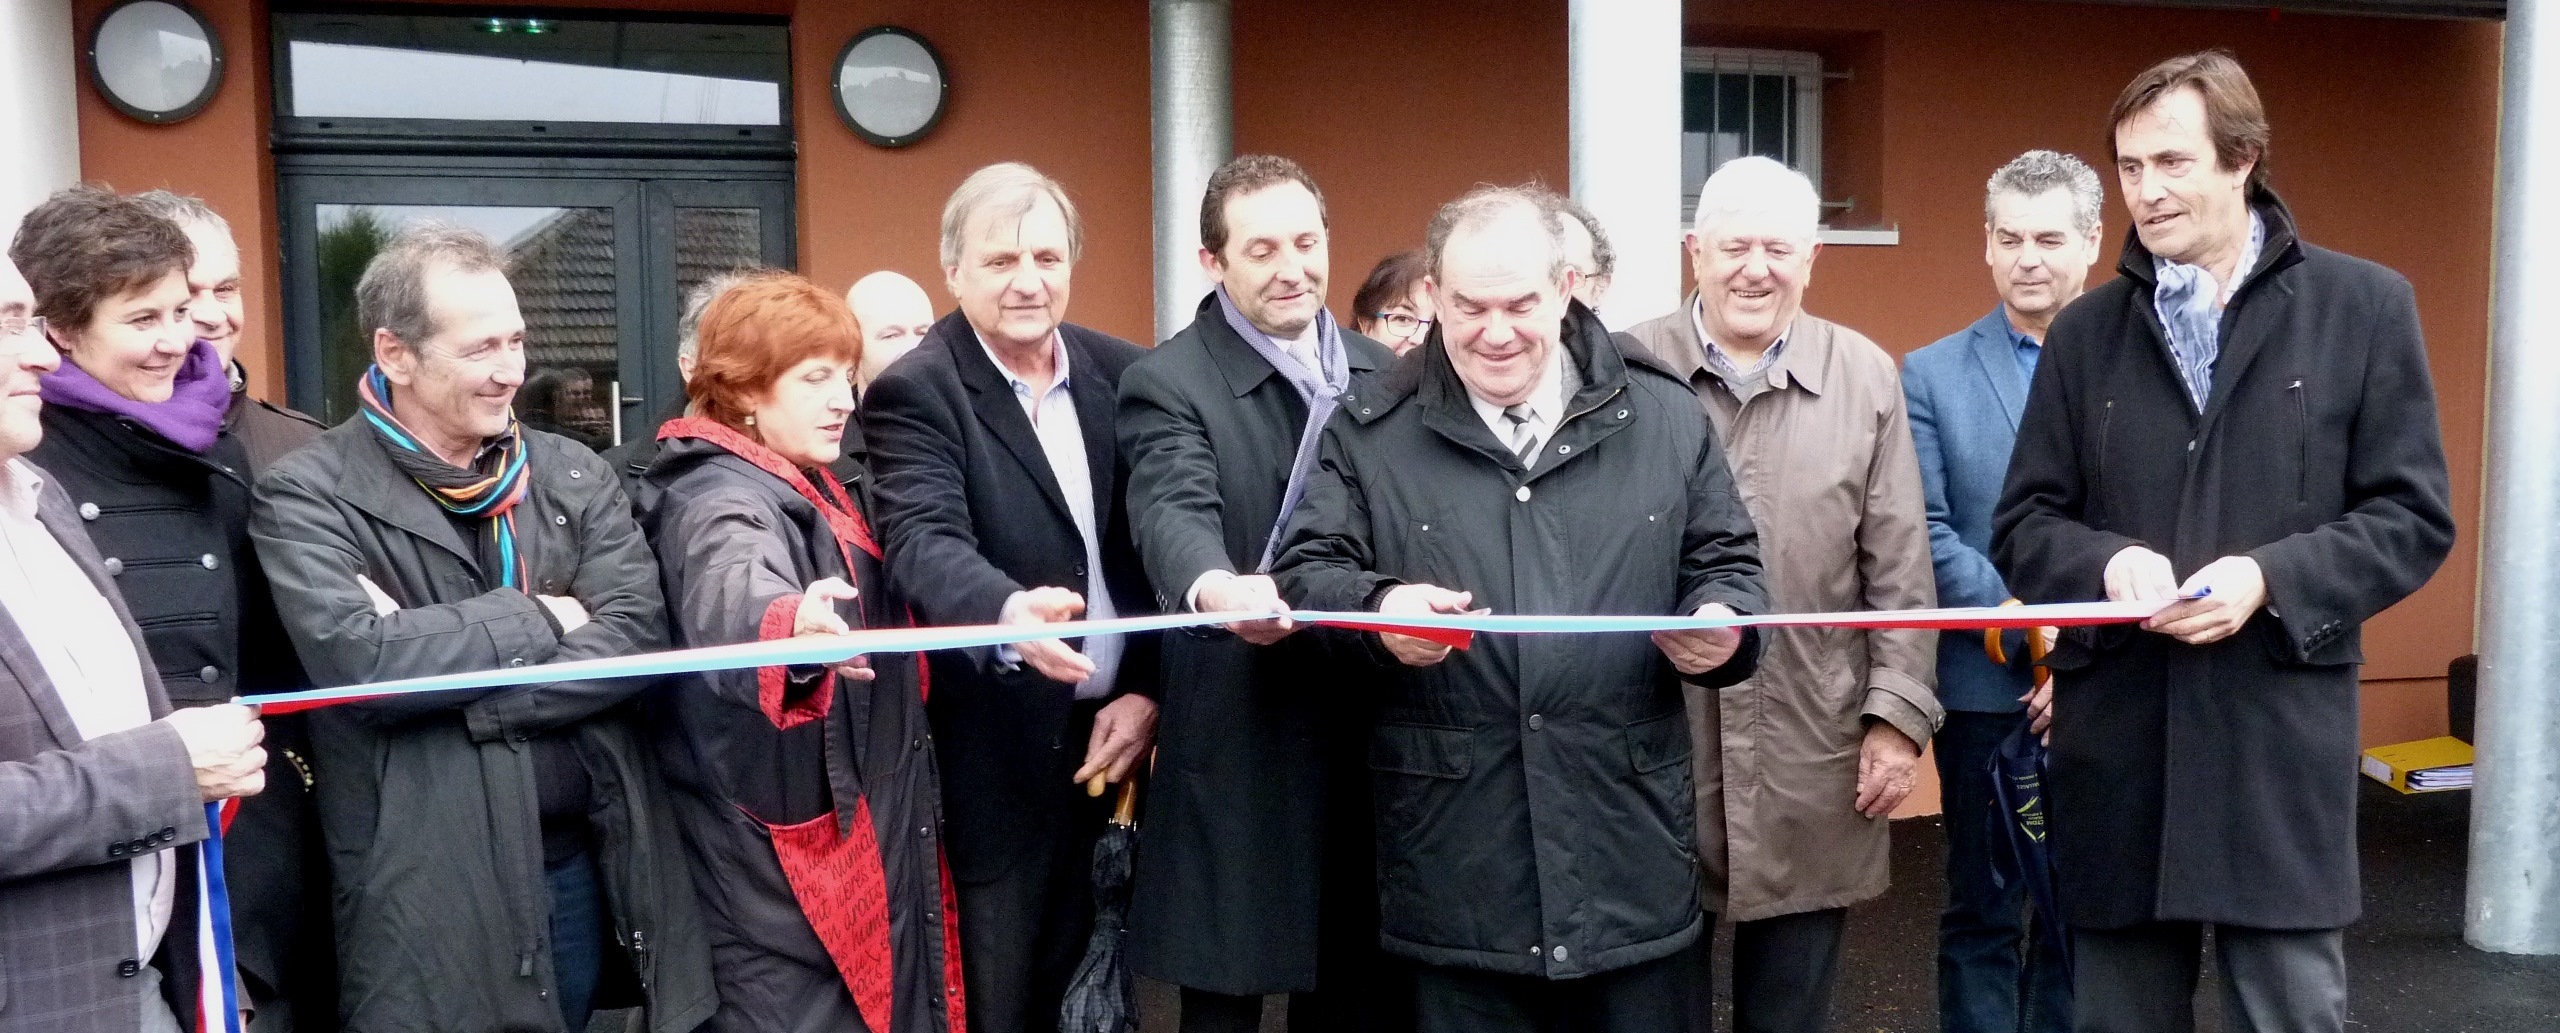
[1455, 630]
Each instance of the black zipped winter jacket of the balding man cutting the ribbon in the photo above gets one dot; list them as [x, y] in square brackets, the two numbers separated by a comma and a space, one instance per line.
[1535, 802]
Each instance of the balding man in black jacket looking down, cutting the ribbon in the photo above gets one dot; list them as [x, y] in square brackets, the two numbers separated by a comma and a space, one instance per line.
[1535, 807]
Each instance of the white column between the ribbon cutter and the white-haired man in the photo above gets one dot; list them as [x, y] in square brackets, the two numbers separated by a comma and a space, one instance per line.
[1624, 119]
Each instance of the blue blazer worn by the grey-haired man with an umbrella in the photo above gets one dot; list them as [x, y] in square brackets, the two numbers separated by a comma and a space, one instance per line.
[1965, 400]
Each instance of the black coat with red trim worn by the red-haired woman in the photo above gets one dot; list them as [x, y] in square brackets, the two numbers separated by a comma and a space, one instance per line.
[759, 756]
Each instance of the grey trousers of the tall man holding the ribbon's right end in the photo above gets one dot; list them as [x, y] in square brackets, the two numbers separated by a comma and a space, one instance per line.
[2144, 978]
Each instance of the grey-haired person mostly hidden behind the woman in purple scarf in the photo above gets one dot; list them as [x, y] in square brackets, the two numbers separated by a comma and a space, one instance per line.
[221, 313]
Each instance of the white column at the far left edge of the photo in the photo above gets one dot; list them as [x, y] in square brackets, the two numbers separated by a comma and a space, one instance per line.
[40, 121]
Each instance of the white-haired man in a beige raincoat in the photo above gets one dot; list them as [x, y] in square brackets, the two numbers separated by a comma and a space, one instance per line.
[1801, 768]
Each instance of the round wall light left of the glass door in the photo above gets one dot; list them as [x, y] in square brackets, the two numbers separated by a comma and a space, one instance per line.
[155, 60]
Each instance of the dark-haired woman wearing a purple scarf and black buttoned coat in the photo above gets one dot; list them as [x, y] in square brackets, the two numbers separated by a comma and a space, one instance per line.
[134, 436]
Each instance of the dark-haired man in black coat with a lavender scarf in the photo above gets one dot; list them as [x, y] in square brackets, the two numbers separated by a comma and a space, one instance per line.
[1258, 866]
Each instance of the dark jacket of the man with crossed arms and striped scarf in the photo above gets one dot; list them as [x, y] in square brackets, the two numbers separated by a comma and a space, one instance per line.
[429, 802]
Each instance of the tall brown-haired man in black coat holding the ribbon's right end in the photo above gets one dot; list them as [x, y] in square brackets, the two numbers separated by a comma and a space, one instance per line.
[2249, 418]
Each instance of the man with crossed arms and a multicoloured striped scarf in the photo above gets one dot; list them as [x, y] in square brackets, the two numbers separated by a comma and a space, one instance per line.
[495, 840]
